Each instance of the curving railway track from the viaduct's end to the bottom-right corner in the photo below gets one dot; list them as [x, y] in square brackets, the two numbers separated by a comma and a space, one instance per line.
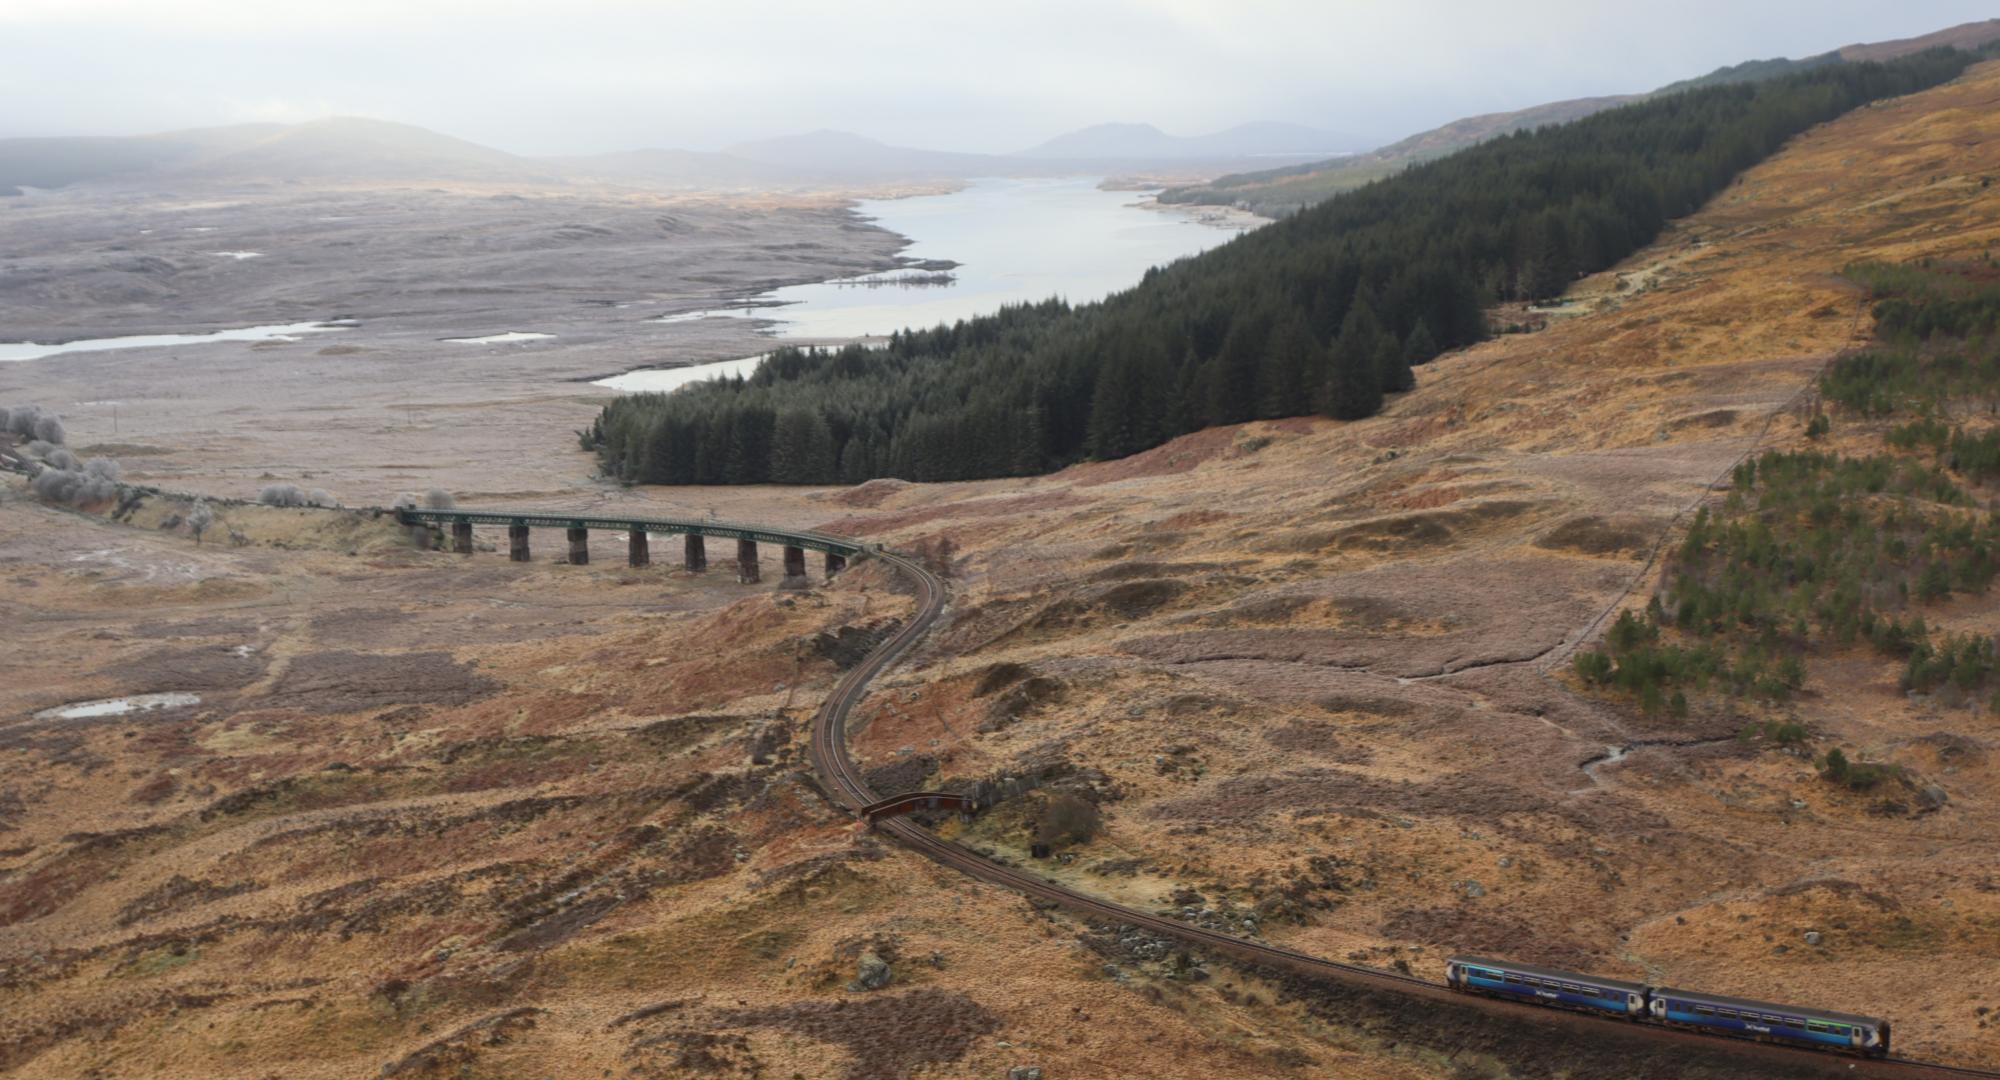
[847, 785]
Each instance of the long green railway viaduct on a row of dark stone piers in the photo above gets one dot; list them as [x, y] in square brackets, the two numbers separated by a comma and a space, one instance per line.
[695, 537]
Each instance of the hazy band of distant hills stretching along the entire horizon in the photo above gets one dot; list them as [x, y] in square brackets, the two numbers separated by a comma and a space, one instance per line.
[355, 151]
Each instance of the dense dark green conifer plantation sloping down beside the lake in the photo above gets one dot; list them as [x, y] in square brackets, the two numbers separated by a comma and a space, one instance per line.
[1323, 313]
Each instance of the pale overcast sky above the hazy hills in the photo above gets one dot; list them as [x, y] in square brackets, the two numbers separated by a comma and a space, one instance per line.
[613, 75]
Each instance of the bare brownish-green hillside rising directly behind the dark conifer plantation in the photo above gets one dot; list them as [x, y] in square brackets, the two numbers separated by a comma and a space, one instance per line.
[1283, 191]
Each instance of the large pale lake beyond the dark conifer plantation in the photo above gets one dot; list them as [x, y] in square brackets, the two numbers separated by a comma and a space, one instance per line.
[1015, 241]
